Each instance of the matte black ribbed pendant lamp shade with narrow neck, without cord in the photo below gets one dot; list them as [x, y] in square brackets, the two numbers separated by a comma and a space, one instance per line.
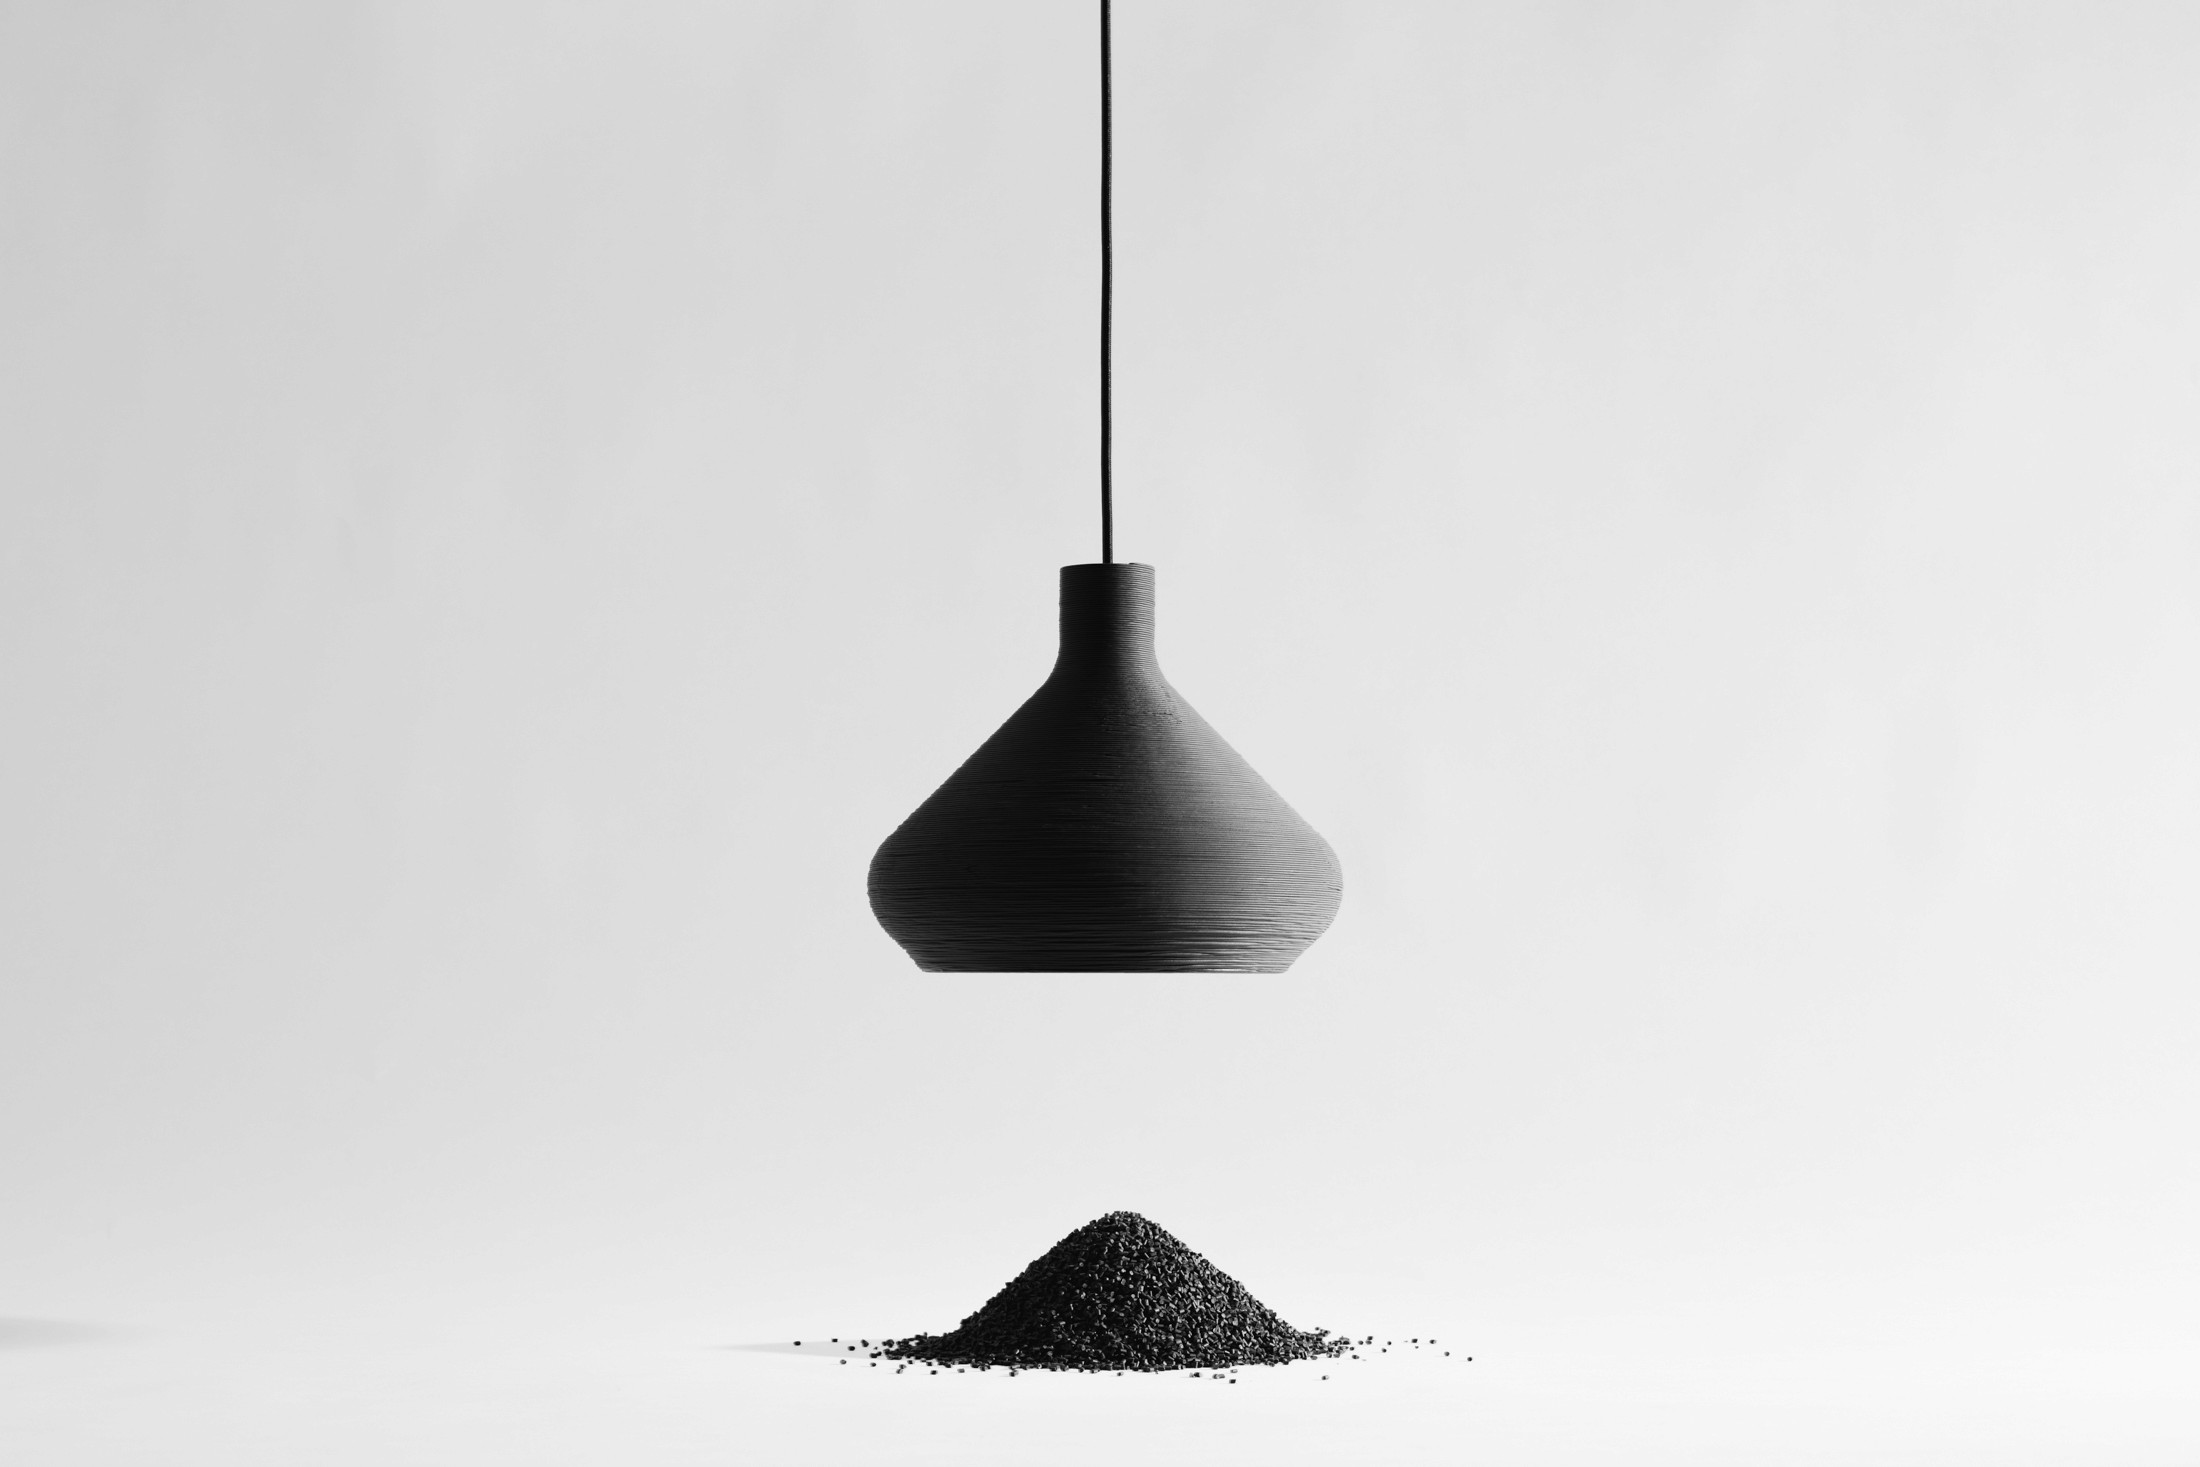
[1105, 828]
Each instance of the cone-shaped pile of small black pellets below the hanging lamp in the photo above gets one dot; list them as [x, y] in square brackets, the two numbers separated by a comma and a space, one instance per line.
[1121, 1294]
